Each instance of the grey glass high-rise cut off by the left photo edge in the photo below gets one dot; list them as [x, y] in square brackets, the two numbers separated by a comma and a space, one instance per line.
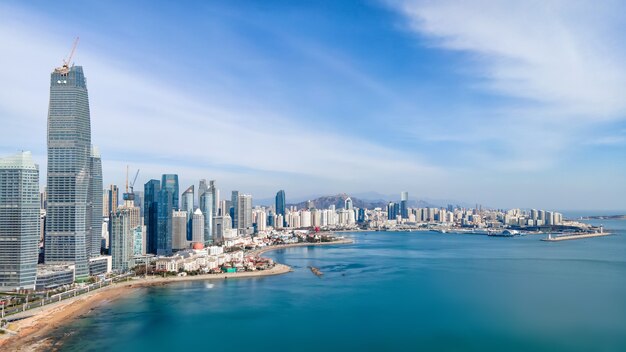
[19, 222]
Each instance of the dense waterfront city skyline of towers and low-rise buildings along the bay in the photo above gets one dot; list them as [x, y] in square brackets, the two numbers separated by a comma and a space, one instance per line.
[74, 230]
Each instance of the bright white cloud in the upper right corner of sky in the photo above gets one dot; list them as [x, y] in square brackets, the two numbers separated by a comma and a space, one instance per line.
[561, 54]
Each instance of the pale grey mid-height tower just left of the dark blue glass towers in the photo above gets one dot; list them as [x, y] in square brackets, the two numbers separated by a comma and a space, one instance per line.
[122, 240]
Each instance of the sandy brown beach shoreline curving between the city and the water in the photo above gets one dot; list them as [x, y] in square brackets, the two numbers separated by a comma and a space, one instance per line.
[34, 327]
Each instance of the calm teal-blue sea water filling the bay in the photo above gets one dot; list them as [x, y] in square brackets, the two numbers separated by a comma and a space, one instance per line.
[389, 291]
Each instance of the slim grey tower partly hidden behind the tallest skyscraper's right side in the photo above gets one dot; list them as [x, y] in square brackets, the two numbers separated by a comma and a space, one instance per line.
[95, 191]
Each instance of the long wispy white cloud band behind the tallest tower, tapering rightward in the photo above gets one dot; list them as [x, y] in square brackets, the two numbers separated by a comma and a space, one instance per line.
[154, 122]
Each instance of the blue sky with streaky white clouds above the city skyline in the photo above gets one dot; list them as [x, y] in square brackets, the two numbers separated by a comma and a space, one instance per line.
[506, 104]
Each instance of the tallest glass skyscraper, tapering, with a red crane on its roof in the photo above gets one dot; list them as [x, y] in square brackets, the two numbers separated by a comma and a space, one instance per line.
[69, 150]
